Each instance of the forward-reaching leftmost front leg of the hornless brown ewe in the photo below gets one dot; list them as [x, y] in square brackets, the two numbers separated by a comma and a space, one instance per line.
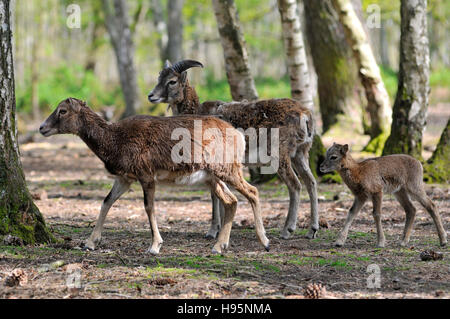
[121, 185]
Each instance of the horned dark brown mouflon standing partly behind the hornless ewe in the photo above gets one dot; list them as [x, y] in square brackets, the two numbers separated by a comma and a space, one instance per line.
[294, 122]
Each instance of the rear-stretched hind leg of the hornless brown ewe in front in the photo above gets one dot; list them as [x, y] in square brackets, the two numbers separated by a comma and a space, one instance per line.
[251, 193]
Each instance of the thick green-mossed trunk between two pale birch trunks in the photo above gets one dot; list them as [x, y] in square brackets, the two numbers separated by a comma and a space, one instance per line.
[335, 66]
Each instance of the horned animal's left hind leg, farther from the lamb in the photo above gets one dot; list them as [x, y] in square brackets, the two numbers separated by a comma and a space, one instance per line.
[289, 177]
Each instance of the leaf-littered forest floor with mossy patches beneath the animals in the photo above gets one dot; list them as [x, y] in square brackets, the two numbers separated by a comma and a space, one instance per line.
[69, 184]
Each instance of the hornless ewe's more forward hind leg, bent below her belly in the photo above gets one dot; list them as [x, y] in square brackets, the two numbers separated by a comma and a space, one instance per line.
[230, 203]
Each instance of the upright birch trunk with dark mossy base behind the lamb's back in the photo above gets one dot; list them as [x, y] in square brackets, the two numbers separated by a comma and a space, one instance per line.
[411, 102]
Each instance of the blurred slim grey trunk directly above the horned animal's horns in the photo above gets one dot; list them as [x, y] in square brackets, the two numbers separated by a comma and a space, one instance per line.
[175, 30]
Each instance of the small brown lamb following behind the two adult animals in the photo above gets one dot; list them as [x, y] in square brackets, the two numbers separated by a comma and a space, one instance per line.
[401, 175]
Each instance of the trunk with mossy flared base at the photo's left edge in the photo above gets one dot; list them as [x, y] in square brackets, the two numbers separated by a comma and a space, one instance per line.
[18, 215]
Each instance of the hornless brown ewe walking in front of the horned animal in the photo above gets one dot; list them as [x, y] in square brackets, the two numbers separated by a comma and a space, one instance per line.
[140, 148]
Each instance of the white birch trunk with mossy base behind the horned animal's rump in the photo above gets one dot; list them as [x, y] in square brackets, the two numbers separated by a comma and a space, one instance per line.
[298, 70]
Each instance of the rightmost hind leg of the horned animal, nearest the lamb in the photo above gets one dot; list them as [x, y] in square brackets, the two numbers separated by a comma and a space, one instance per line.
[301, 163]
